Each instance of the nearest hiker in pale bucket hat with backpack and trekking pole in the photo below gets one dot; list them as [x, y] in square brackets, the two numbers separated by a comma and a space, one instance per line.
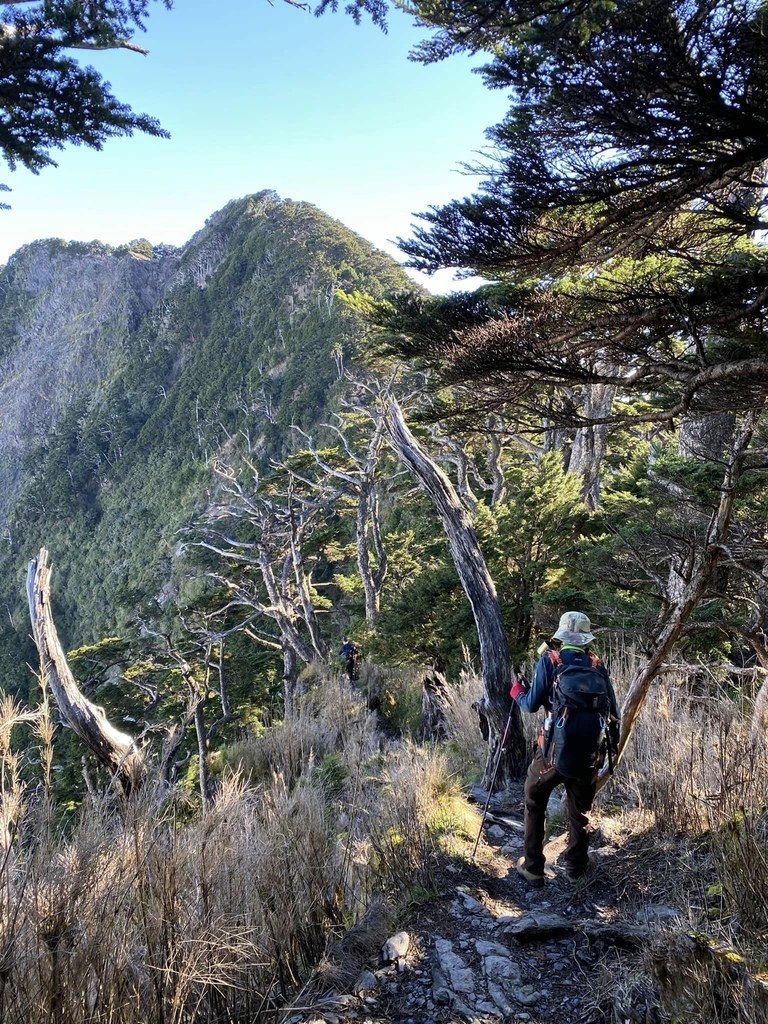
[581, 731]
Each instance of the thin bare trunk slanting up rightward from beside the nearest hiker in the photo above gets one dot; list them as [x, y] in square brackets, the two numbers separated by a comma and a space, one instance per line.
[698, 574]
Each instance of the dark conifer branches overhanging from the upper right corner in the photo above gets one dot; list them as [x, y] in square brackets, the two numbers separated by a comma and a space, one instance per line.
[621, 208]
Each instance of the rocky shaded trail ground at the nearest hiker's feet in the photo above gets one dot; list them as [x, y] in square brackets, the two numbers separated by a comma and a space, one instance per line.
[490, 948]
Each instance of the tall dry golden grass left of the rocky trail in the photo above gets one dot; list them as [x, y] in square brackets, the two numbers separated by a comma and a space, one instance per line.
[135, 917]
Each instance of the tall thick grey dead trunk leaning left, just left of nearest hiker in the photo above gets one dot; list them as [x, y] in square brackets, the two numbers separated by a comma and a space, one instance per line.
[479, 586]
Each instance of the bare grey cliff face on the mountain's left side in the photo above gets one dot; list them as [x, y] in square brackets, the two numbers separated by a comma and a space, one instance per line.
[66, 322]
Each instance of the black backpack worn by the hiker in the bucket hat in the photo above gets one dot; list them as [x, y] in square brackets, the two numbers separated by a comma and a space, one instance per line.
[576, 743]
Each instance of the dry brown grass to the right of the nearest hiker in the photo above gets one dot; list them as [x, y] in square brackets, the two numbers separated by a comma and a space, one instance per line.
[693, 769]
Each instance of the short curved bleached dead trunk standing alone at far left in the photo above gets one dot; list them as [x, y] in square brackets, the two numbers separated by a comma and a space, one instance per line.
[114, 750]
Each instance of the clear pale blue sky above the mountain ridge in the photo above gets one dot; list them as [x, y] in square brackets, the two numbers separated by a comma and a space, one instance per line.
[260, 97]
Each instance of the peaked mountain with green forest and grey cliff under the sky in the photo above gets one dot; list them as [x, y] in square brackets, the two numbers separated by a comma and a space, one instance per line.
[125, 370]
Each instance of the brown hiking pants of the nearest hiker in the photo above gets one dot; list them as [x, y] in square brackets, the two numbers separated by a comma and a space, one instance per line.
[539, 786]
